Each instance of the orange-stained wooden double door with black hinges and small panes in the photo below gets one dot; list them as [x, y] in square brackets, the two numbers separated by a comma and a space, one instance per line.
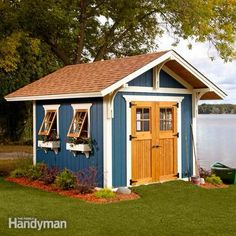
[154, 141]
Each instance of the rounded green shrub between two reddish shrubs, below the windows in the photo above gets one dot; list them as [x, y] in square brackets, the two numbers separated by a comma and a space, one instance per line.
[65, 180]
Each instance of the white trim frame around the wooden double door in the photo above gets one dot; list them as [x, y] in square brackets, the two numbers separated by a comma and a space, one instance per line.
[131, 98]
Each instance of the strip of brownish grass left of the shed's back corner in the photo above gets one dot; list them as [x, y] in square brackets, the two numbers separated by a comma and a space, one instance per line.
[8, 165]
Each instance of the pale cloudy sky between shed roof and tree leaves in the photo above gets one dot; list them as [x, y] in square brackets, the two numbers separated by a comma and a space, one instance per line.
[221, 73]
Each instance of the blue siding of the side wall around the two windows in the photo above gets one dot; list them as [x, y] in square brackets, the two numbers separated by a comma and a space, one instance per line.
[65, 159]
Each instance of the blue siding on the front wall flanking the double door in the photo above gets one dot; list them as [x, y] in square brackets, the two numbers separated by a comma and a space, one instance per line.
[119, 175]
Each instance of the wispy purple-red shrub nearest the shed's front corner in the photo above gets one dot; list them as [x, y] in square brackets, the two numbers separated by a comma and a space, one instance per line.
[86, 180]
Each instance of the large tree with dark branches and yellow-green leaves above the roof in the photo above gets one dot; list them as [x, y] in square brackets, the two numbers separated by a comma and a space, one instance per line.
[83, 30]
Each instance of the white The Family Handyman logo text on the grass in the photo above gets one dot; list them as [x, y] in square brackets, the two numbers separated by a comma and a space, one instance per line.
[34, 223]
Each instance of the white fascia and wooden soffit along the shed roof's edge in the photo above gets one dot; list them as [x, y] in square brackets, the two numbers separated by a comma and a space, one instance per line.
[171, 59]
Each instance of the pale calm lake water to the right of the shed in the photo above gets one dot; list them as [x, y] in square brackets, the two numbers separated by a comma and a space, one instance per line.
[216, 139]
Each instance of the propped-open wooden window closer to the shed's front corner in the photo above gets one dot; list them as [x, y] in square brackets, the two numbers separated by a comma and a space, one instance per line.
[79, 125]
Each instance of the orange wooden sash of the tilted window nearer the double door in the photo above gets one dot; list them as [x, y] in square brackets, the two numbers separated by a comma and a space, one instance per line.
[77, 125]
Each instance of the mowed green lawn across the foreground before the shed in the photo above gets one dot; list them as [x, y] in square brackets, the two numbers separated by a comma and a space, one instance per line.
[173, 208]
